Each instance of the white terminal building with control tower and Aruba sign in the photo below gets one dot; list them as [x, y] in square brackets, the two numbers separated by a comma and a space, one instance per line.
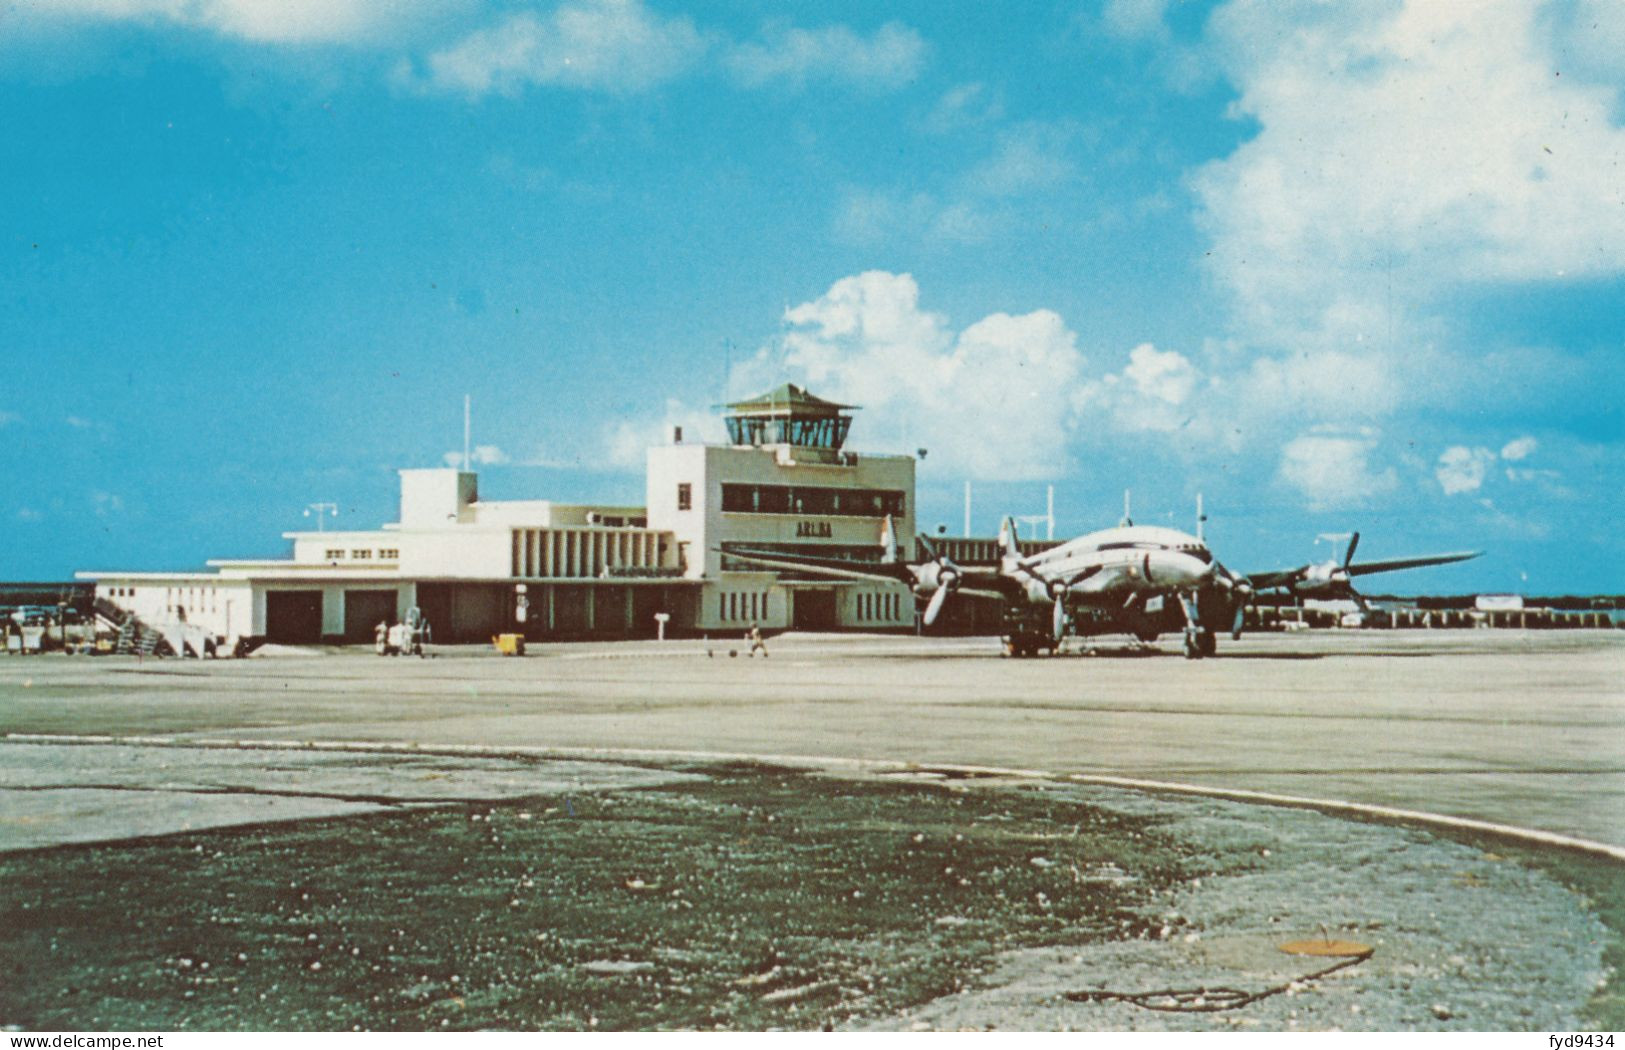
[553, 571]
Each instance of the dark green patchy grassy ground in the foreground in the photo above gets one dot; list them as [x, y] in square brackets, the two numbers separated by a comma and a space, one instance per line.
[755, 900]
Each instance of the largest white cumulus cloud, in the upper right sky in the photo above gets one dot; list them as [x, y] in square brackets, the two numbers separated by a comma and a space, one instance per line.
[1405, 150]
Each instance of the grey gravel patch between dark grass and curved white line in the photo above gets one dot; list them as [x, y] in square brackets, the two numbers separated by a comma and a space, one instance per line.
[1462, 939]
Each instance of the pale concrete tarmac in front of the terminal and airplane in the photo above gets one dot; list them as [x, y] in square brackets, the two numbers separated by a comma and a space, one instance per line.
[1522, 729]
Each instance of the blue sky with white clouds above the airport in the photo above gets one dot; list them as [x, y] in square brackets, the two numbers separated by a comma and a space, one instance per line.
[1337, 267]
